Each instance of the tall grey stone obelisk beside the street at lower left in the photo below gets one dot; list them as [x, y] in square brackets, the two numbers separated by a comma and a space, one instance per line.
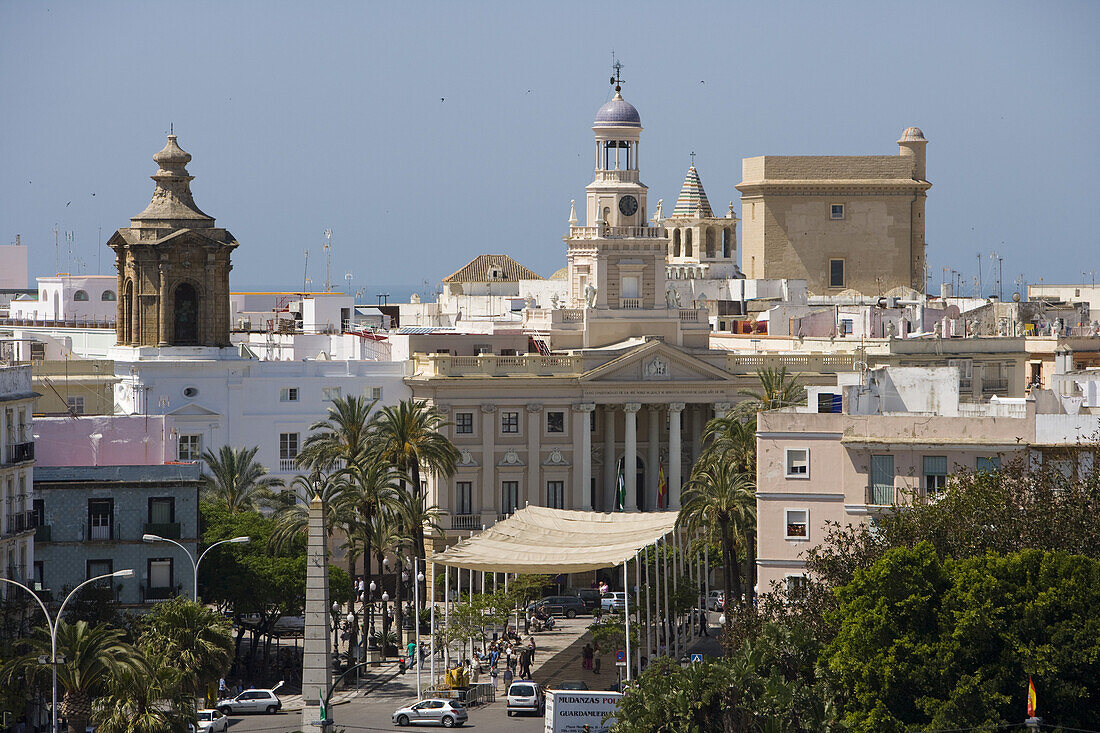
[317, 660]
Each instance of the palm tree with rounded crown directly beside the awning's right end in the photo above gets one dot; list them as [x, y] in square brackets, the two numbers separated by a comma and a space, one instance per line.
[721, 499]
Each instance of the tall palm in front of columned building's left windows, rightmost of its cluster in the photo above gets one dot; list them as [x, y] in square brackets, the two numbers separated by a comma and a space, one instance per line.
[409, 439]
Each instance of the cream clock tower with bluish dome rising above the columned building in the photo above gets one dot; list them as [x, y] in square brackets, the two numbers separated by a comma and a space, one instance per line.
[617, 260]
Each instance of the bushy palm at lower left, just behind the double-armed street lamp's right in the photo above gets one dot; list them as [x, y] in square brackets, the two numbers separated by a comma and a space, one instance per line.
[197, 640]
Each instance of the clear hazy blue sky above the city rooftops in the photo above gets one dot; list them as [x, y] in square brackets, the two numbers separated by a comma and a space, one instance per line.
[426, 134]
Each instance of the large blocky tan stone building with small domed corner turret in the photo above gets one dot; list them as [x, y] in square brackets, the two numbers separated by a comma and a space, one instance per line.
[841, 223]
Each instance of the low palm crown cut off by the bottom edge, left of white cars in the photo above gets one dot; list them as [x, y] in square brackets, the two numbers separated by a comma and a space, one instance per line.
[156, 701]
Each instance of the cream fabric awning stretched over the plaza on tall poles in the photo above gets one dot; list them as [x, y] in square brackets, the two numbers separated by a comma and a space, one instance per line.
[537, 540]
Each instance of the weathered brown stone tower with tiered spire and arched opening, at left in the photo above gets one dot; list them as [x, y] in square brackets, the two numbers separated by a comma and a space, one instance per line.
[173, 267]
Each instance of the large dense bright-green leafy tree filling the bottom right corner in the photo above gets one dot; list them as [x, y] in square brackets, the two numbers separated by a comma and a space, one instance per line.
[933, 644]
